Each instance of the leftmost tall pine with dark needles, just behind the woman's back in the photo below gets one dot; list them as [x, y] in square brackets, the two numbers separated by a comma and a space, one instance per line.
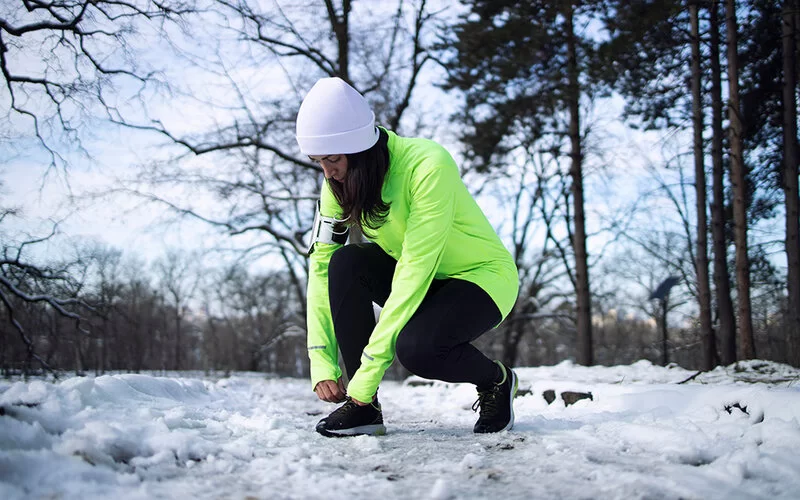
[524, 68]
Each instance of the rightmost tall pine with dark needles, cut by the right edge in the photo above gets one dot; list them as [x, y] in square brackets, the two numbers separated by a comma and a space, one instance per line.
[769, 112]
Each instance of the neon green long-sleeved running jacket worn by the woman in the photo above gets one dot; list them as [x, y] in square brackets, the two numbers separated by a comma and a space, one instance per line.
[434, 229]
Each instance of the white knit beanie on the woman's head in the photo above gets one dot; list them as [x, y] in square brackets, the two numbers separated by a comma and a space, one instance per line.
[335, 119]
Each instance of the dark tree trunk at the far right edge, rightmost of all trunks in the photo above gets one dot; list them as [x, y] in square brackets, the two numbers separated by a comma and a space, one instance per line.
[790, 187]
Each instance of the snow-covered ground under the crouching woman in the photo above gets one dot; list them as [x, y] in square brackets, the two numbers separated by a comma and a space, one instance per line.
[729, 434]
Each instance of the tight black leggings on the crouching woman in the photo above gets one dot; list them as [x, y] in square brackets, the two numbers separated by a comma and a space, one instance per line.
[435, 343]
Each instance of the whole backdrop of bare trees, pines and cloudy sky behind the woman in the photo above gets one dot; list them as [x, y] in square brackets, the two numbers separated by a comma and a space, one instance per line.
[638, 158]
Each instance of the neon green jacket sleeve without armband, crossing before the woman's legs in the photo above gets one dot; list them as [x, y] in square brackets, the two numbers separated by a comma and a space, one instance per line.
[431, 213]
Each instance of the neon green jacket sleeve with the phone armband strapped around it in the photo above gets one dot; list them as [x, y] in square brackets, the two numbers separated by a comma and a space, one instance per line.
[323, 351]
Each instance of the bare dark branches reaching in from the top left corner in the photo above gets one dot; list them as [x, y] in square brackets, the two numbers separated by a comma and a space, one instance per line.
[66, 62]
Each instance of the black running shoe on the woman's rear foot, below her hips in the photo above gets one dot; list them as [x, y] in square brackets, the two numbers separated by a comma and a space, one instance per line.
[497, 404]
